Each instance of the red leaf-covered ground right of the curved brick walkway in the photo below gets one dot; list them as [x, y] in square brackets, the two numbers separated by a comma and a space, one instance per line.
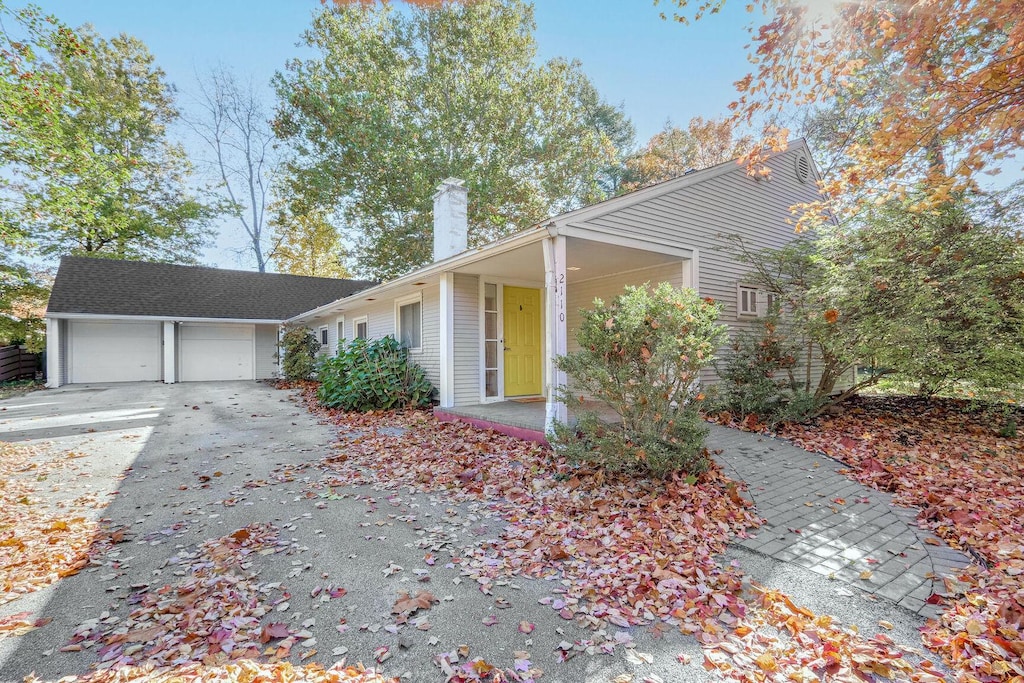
[950, 461]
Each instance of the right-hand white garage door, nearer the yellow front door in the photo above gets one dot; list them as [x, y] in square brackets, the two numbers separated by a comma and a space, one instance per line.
[217, 352]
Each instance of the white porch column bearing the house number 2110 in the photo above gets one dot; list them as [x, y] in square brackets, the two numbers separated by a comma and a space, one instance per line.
[557, 343]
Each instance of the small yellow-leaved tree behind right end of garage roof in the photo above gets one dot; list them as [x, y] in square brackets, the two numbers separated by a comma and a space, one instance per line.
[308, 245]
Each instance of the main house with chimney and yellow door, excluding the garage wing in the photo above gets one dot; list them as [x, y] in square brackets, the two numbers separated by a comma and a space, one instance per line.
[487, 323]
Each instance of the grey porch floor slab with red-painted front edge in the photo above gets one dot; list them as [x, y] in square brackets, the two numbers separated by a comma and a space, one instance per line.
[521, 418]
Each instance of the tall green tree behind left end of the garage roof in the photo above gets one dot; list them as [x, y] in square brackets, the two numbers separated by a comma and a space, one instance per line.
[99, 176]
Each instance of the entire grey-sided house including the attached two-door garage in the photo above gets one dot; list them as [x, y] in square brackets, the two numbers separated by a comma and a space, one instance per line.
[485, 323]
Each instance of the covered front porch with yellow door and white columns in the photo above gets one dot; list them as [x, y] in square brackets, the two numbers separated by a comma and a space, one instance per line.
[508, 316]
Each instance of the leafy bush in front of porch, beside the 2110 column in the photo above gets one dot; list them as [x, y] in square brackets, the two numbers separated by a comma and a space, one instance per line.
[642, 356]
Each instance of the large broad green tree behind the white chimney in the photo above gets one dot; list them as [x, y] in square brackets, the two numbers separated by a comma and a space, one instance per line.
[396, 103]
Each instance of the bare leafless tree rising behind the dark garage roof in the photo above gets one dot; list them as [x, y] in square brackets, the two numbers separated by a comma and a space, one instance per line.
[236, 129]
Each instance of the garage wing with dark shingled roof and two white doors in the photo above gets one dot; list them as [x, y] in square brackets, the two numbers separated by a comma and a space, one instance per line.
[113, 321]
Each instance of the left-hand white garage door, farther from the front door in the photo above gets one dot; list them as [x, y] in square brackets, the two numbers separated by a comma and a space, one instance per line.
[114, 352]
